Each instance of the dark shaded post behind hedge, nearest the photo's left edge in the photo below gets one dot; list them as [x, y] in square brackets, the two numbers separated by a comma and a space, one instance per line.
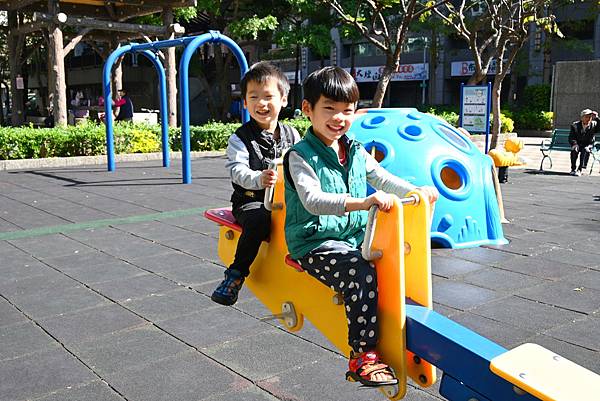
[14, 50]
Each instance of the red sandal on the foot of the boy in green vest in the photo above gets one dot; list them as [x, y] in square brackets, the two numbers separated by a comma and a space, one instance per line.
[362, 368]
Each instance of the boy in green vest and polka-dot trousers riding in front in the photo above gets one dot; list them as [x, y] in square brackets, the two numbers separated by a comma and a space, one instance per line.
[326, 199]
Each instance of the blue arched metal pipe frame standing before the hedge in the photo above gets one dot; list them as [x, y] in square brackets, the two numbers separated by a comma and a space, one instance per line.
[150, 50]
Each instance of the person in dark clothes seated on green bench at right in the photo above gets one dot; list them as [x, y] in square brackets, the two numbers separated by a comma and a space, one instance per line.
[582, 139]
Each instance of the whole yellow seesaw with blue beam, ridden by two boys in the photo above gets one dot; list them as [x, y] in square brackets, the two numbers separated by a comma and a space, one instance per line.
[414, 338]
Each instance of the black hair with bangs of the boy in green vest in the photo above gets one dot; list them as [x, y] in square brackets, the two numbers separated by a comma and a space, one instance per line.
[331, 82]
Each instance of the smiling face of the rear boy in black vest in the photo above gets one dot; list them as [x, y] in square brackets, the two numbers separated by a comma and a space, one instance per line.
[264, 102]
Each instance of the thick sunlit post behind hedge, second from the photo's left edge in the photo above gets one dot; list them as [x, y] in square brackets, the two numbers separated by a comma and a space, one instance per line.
[57, 61]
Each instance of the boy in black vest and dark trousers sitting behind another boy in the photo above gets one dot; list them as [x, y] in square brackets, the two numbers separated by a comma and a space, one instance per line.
[249, 151]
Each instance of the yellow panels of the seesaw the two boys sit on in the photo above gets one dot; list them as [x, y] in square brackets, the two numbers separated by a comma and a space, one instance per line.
[404, 270]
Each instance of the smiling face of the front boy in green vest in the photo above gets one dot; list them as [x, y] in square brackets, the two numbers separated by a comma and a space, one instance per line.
[330, 119]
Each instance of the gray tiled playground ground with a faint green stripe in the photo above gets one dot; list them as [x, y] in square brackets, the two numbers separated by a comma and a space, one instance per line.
[105, 281]
